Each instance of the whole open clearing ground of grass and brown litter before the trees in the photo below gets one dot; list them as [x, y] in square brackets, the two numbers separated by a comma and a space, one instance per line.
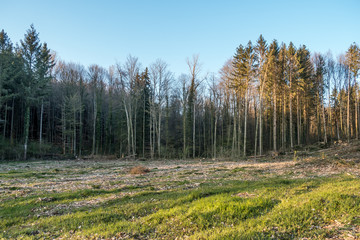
[309, 194]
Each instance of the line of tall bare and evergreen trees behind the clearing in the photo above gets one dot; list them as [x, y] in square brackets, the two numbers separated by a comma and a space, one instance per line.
[268, 96]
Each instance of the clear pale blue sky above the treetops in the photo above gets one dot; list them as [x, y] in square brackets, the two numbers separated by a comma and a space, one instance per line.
[106, 32]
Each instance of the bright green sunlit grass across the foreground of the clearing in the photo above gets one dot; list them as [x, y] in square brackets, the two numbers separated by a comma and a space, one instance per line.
[277, 208]
